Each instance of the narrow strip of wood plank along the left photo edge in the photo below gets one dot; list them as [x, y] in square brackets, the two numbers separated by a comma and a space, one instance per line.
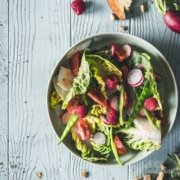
[4, 90]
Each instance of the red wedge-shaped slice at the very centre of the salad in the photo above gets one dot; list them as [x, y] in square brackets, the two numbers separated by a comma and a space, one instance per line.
[97, 97]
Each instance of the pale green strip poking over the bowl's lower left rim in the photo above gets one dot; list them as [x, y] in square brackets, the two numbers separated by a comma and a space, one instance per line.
[73, 118]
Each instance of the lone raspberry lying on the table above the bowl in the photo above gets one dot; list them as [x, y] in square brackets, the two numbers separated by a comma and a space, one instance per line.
[78, 6]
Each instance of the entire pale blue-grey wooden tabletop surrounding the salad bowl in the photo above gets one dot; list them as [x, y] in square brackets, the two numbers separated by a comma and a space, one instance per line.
[34, 34]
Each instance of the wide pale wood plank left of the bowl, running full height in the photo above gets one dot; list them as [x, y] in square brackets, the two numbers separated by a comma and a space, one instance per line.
[39, 34]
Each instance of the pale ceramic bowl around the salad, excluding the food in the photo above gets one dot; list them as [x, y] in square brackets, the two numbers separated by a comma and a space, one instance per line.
[167, 87]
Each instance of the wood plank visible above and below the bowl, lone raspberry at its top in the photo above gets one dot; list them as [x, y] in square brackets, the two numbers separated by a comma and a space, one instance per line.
[96, 19]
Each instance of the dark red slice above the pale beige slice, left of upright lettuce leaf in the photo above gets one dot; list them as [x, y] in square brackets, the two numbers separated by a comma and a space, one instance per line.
[75, 63]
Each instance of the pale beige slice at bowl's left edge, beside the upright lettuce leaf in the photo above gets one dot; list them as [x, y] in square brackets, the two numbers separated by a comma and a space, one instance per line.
[65, 78]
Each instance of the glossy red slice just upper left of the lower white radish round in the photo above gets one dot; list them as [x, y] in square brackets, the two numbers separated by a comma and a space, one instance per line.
[83, 129]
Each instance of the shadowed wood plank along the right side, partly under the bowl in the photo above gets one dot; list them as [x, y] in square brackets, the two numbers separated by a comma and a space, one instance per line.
[151, 27]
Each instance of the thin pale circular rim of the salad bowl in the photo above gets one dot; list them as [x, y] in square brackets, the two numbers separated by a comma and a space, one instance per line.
[114, 34]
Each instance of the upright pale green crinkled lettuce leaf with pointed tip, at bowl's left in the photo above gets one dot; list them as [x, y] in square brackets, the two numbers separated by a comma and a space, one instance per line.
[80, 83]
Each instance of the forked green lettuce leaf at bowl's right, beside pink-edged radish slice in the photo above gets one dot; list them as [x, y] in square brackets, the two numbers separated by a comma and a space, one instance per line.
[149, 87]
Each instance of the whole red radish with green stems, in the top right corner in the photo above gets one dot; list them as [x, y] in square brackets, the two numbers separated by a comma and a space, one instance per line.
[171, 12]
